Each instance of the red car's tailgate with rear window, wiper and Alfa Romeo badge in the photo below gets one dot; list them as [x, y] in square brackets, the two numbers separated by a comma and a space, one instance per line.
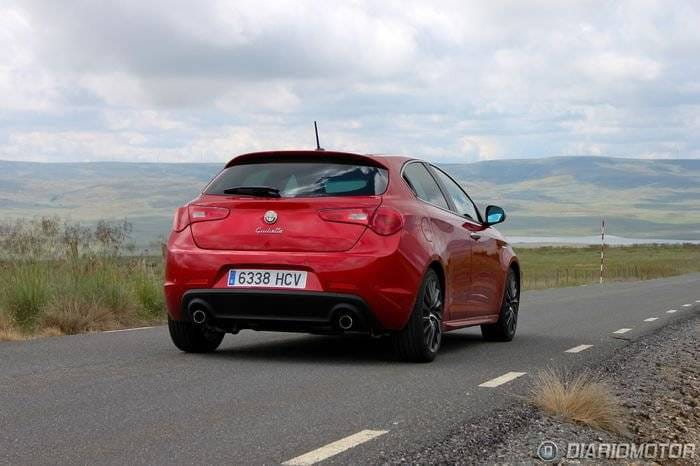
[291, 203]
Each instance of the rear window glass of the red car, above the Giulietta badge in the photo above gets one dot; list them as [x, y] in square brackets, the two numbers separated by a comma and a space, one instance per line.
[304, 178]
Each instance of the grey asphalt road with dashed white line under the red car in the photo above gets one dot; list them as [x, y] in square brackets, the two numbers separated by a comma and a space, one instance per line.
[131, 397]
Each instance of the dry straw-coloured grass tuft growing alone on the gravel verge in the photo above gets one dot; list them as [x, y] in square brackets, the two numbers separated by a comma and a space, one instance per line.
[581, 398]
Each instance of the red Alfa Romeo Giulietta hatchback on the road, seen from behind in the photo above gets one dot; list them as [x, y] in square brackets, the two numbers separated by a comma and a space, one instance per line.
[332, 242]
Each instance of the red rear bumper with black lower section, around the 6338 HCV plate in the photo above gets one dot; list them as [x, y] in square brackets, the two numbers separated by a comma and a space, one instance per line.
[376, 276]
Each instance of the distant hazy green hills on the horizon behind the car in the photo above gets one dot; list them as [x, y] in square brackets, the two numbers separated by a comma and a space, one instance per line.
[556, 196]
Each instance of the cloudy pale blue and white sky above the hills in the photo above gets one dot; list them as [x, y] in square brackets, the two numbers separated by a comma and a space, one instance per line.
[448, 81]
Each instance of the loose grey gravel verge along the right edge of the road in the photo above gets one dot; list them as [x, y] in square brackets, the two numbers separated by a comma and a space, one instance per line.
[657, 378]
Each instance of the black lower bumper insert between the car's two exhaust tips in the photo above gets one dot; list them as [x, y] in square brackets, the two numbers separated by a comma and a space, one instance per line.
[278, 310]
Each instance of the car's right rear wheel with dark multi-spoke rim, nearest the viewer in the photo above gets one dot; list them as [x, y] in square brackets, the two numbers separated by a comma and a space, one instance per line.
[420, 339]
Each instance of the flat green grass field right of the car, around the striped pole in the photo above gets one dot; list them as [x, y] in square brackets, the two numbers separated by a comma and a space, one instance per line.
[549, 267]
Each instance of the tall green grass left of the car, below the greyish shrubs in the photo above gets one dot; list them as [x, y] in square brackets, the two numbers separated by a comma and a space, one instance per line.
[81, 296]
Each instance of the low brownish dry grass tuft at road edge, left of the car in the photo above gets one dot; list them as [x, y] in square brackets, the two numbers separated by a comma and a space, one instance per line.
[70, 315]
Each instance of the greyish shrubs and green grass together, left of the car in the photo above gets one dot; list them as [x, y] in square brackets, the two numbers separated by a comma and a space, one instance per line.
[61, 278]
